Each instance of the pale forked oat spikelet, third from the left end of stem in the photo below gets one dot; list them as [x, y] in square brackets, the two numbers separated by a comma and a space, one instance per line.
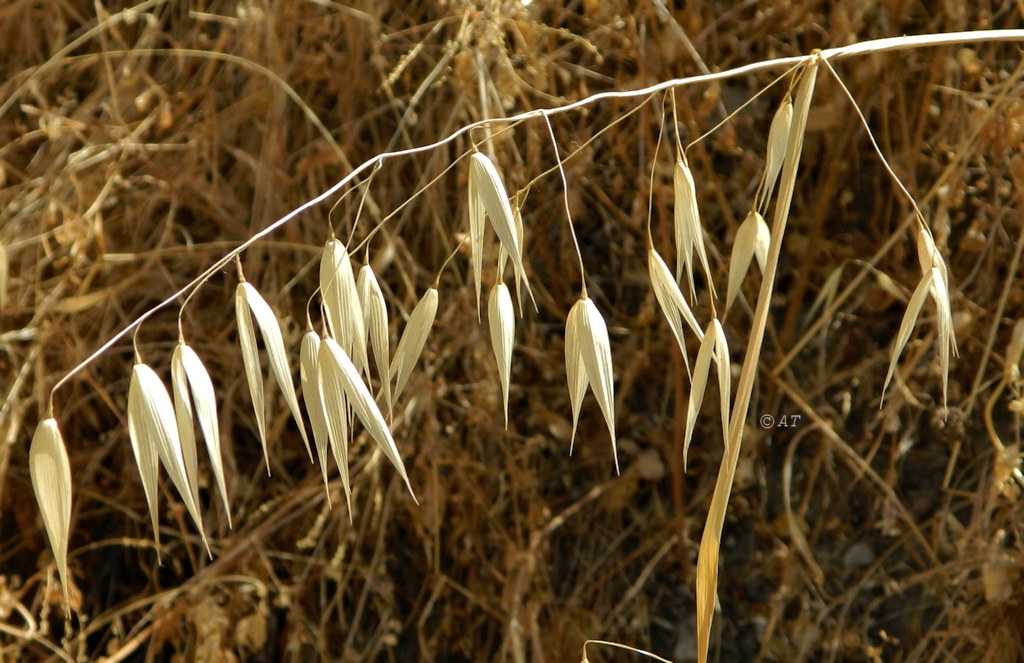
[188, 371]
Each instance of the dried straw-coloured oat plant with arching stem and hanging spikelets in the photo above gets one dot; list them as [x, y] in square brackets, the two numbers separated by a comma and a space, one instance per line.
[335, 374]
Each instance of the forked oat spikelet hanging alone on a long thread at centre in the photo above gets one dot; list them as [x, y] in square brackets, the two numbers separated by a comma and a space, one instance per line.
[592, 347]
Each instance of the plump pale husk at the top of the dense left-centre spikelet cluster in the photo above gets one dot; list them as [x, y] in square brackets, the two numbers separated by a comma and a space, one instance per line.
[342, 301]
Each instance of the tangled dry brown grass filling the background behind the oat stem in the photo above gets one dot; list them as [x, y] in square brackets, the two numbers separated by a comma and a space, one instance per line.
[137, 150]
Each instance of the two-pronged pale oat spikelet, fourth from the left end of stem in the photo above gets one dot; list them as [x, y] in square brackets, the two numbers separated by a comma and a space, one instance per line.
[247, 300]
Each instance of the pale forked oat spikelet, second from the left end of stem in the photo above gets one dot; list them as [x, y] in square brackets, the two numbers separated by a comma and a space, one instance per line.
[152, 426]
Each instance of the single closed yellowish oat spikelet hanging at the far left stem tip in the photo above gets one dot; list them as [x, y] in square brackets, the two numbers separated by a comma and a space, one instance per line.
[51, 473]
